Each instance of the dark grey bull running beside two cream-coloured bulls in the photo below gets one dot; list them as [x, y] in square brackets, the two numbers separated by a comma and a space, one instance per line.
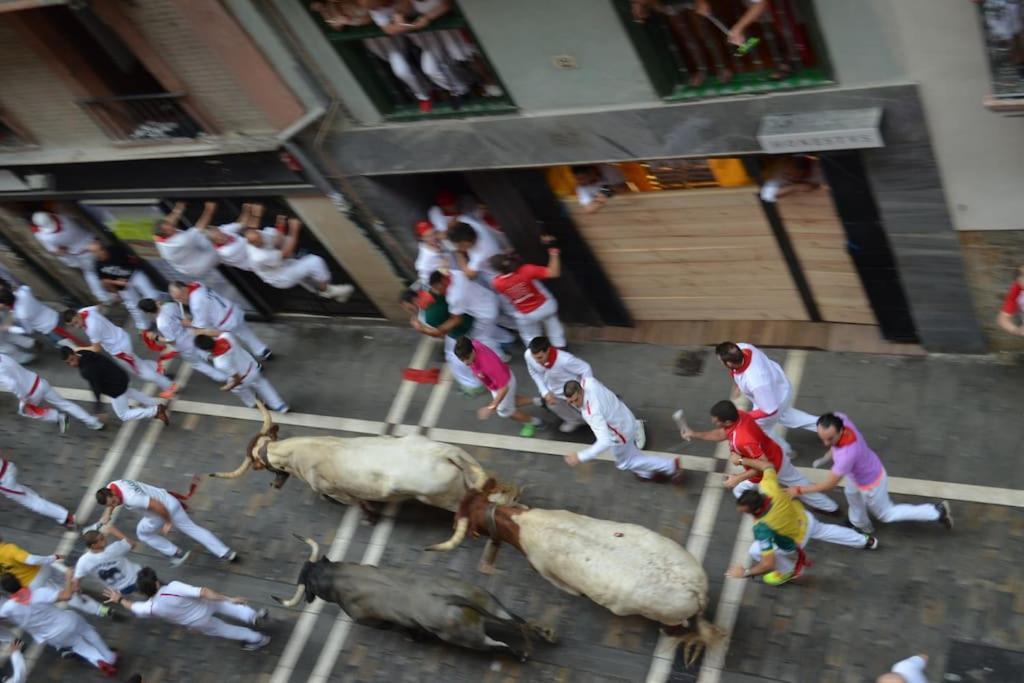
[452, 611]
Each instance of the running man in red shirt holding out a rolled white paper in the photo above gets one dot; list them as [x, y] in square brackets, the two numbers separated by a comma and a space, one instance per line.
[747, 440]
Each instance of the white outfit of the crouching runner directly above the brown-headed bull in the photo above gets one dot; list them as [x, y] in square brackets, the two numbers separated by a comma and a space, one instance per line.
[617, 429]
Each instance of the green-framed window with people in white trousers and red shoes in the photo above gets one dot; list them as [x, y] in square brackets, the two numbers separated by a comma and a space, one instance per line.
[438, 70]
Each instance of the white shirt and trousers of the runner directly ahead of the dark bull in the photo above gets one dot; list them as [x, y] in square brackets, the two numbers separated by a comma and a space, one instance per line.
[183, 605]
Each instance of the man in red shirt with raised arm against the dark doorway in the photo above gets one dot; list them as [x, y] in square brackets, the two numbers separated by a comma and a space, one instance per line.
[536, 311]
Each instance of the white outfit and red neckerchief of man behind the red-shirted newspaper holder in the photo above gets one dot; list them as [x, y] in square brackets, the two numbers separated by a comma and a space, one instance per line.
[769, 390]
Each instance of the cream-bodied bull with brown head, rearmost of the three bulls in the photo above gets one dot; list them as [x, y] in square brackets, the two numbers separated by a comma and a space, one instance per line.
[626, 569]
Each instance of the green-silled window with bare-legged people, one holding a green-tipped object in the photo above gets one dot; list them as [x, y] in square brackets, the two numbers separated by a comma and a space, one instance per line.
[689, 55]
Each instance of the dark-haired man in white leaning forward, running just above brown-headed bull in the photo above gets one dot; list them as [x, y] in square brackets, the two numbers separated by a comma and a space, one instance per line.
[617, 429]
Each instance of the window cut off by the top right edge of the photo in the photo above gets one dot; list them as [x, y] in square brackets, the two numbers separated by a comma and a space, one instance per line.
[1003, 26]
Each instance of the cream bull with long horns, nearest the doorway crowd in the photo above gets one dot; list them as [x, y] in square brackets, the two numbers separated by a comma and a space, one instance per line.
[371, 468]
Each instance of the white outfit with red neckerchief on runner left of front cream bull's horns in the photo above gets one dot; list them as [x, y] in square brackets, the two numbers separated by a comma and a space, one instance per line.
[136, 496]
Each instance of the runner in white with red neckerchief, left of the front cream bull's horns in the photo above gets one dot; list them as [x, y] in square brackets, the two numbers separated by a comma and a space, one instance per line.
[162, 511]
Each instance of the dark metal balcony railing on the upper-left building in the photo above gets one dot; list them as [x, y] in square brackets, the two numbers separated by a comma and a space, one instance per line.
[141, 118]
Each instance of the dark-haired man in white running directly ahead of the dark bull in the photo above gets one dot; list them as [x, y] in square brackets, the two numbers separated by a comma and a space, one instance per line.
[195, 608]
